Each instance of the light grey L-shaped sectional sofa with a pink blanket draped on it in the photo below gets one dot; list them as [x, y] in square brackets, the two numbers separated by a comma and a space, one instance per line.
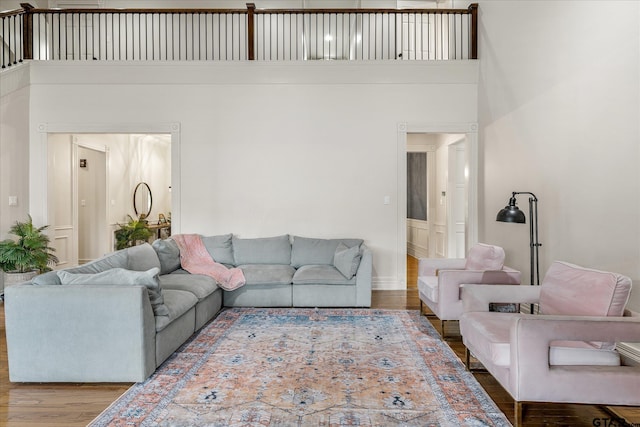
[118, 318]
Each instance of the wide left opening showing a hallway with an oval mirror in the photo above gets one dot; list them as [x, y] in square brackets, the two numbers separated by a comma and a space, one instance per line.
[92, 179]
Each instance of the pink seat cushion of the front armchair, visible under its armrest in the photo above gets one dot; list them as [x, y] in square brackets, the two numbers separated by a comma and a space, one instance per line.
[489, 335]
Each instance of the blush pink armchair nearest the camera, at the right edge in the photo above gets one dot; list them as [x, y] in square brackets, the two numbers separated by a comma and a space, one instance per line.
[567, 352]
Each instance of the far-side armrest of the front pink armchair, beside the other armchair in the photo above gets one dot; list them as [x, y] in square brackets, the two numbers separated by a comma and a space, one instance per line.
[477, 297]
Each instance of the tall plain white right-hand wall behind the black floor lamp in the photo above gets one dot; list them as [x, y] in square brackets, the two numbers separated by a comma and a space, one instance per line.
[559, 107]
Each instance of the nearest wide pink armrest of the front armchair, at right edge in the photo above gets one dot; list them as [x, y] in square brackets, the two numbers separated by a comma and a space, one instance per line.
[531, 373]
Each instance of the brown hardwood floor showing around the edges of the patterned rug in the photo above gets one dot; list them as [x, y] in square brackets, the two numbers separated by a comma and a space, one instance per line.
[69, 405]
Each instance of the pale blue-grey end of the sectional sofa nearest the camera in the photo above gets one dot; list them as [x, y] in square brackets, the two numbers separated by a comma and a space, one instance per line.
[79, 333]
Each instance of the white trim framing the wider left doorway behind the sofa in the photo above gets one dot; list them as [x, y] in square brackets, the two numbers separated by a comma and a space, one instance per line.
[39, 168]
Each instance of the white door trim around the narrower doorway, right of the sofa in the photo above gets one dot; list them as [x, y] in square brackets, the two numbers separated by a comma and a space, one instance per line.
[471, 133]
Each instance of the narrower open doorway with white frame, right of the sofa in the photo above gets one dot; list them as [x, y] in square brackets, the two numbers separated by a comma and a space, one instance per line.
[449, 227]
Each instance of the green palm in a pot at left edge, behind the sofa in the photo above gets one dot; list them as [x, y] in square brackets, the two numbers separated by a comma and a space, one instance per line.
[29, 255]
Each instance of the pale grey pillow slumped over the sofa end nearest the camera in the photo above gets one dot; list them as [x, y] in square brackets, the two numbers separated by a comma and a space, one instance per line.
[120, 276]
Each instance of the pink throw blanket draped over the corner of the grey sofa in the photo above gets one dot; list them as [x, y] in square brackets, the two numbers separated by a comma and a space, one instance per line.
[195, 258]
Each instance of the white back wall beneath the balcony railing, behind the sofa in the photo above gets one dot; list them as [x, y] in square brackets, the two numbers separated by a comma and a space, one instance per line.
[266, 149]
